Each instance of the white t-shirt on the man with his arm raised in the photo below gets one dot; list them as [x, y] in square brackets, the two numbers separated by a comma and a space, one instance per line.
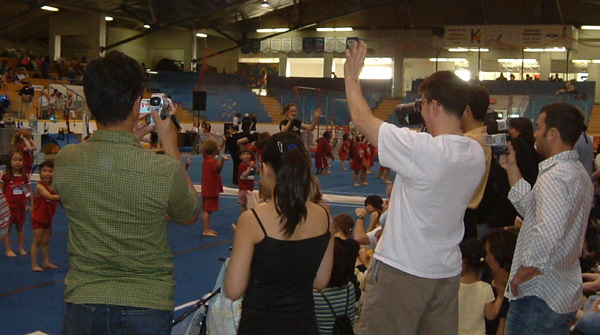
[435, 180]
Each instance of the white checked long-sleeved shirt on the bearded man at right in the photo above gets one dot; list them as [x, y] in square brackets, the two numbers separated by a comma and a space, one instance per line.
[551, 239]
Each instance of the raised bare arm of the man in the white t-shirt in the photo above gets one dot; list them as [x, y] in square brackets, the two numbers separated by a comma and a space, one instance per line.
[360, 112]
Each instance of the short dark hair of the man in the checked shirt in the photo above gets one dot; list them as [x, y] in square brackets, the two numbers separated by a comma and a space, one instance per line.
[567, 119]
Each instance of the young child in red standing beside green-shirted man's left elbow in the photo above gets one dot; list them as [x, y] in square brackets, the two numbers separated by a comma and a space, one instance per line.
[44, 206]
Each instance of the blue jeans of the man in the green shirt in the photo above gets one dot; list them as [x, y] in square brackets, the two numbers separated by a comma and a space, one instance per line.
[95, 319]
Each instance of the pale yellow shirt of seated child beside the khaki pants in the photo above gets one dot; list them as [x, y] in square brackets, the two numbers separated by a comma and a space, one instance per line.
[472, 299]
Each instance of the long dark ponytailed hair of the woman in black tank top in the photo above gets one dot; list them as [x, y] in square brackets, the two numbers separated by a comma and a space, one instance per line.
[287, 156]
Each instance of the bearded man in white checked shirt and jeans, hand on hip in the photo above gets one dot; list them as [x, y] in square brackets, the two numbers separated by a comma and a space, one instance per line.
[545, 286]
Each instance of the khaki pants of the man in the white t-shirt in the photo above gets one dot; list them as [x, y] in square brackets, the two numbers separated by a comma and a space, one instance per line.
[396, 303]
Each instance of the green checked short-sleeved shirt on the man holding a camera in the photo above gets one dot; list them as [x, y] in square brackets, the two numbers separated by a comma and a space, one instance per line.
[117, 196]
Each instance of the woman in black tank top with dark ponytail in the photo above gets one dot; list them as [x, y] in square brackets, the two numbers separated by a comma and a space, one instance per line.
[281, 249]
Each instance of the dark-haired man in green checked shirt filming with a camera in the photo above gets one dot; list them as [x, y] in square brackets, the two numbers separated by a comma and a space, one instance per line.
[117, 197]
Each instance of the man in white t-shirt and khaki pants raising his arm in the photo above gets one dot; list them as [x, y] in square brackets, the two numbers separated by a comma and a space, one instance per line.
[413, 281]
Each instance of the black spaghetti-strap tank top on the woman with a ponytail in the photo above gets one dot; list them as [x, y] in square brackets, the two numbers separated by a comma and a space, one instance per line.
[281, 282]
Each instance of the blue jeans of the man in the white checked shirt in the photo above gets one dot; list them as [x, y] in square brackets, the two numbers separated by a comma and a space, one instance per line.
[531, 315]
